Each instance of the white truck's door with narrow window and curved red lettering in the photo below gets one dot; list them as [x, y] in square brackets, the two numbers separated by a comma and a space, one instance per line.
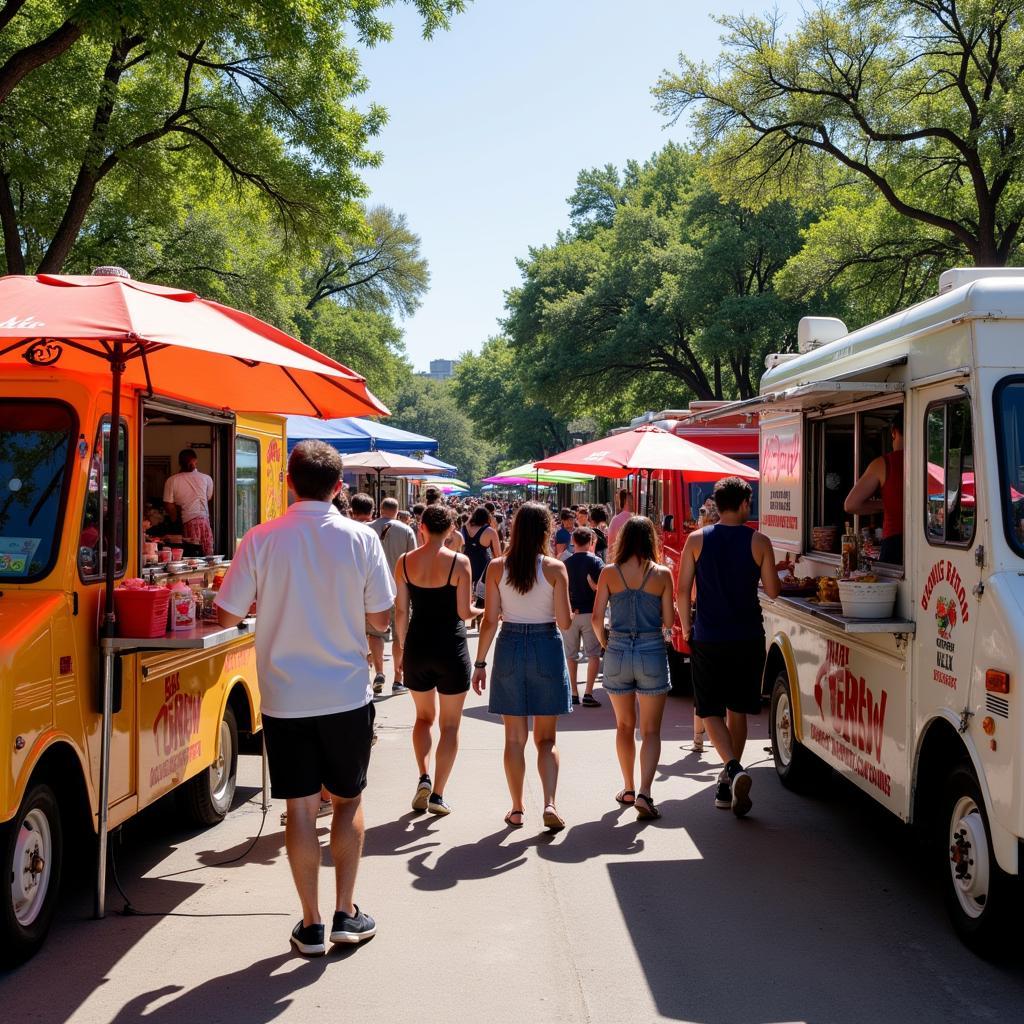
[946, 529]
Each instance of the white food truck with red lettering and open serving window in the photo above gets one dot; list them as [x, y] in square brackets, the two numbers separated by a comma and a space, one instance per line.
[921, 709]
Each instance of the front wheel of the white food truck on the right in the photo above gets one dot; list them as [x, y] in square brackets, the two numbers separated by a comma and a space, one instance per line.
[980, 898]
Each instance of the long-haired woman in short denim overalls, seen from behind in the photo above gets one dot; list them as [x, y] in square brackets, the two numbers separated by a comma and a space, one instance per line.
[641, 593]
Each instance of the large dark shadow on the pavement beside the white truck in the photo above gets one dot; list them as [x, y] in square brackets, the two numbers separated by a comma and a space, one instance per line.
[779, 919]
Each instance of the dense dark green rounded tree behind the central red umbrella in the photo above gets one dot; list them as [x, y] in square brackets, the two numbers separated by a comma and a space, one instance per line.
[675, 295]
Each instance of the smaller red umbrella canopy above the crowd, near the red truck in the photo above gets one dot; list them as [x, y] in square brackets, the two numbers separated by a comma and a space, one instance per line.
[649, 449]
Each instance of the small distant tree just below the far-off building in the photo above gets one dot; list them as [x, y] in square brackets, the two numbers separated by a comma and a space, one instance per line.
[429, 407]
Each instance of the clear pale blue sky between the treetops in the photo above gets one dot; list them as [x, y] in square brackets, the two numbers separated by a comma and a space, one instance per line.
[491, 123]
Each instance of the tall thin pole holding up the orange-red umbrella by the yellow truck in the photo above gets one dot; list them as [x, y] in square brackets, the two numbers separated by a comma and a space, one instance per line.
[109, 628]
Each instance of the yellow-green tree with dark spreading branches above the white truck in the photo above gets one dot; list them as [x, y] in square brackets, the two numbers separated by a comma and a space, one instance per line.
[918, 102]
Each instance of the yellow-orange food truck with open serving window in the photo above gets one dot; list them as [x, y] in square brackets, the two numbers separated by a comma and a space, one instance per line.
[180, 702]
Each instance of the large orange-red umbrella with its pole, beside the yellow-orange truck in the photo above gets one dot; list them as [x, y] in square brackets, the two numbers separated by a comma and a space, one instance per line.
[135, 335]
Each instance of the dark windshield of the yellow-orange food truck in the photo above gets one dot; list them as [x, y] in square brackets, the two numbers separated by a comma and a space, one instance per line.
[36, 440]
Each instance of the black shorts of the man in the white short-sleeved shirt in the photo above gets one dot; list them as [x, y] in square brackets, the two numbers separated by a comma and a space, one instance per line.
[329, 751]
